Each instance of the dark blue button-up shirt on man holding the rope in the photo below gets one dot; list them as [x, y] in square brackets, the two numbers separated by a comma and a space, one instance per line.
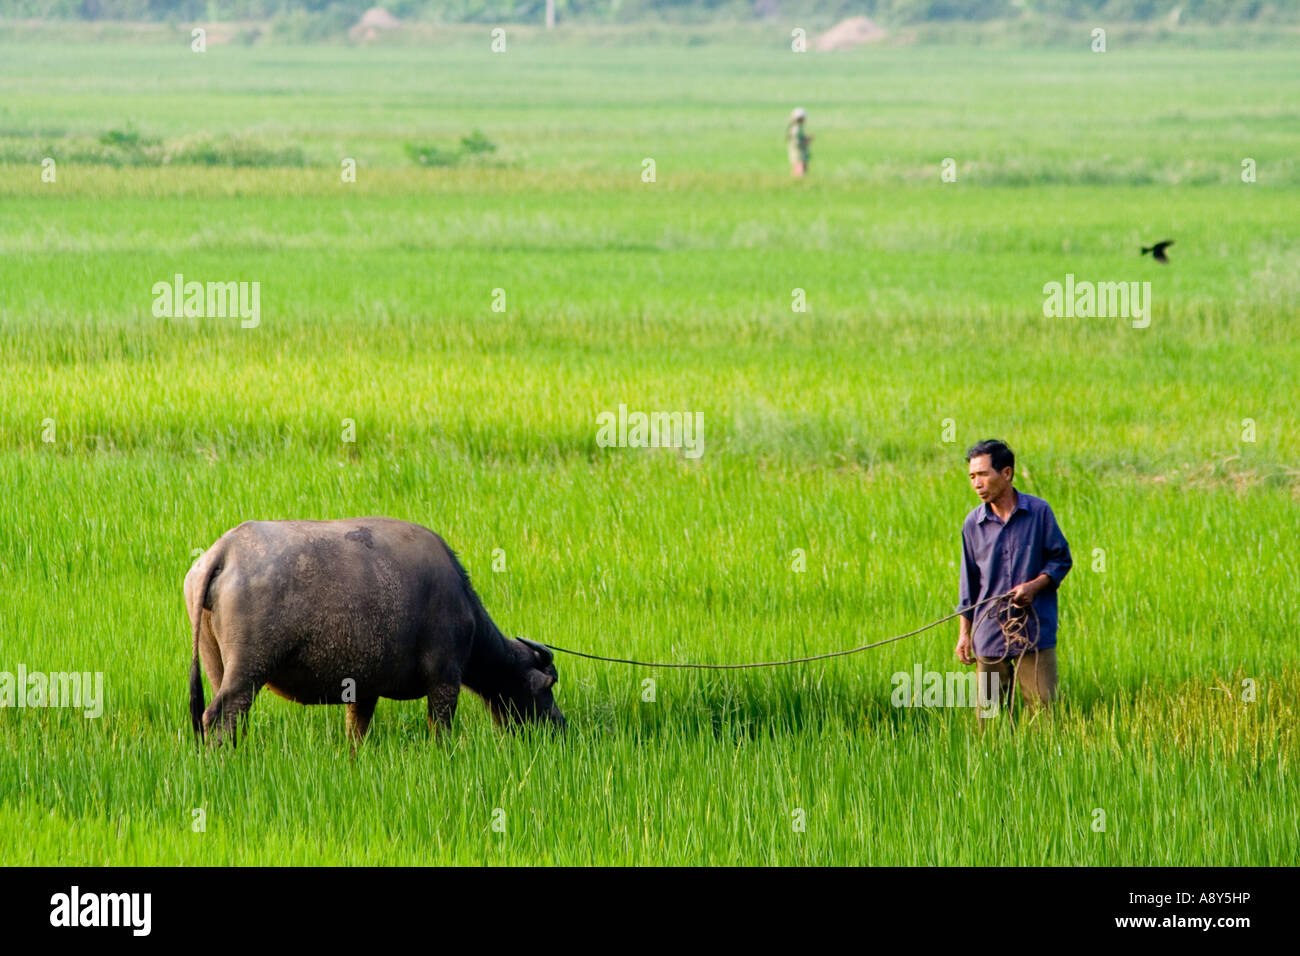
[996, 557]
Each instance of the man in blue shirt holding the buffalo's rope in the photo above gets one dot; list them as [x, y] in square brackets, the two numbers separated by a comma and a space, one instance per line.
[1011, 543]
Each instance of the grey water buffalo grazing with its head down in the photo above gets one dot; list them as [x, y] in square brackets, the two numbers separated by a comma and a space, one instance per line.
[349, 612]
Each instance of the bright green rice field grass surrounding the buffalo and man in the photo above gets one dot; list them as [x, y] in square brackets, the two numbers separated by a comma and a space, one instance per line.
[128, 442]
